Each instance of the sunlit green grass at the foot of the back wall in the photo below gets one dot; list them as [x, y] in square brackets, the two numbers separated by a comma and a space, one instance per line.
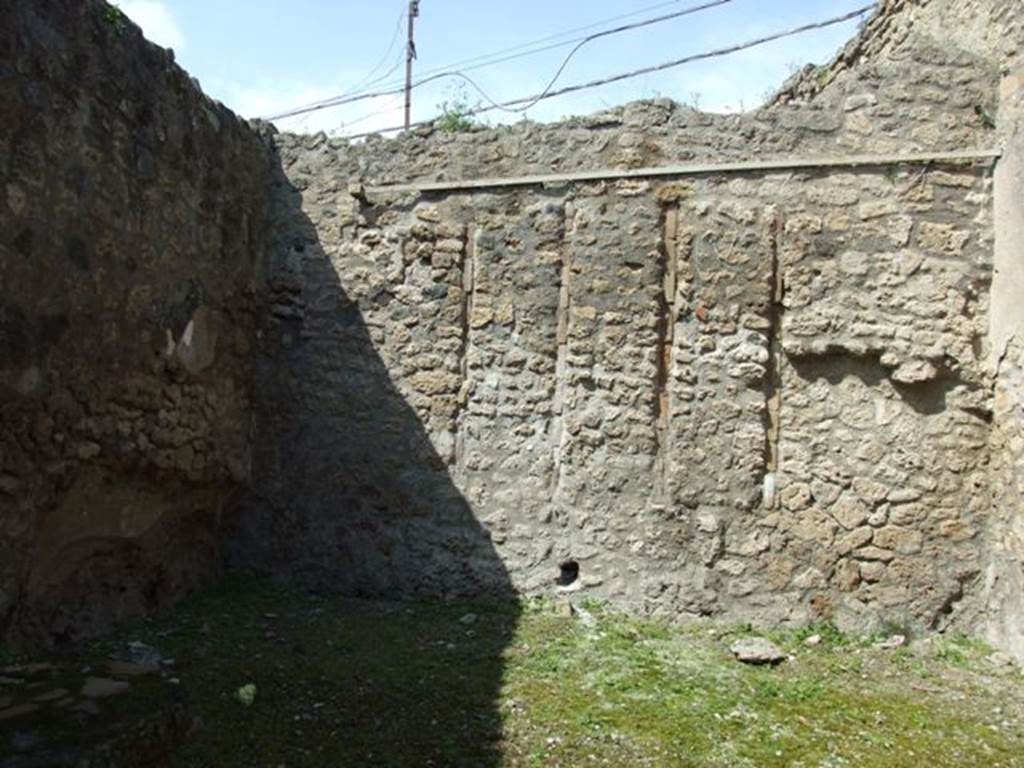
[632, 696]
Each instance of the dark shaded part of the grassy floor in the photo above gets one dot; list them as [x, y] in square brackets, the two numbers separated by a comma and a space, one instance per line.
[338, 681]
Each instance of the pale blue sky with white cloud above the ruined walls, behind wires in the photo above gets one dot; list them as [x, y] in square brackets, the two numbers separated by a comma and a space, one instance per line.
[264, 57]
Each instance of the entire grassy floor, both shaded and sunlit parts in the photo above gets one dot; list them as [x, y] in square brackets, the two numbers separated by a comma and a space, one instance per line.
[344, 682]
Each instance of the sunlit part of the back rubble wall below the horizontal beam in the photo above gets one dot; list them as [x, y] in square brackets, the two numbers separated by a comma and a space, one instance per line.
[595, 368]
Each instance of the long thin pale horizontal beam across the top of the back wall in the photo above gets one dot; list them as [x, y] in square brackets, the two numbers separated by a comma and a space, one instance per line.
[698, 169]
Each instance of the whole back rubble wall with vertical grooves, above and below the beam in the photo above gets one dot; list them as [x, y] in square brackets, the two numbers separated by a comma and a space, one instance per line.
[764, 397]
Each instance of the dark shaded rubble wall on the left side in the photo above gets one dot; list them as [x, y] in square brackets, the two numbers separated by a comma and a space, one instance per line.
[133, 218]
